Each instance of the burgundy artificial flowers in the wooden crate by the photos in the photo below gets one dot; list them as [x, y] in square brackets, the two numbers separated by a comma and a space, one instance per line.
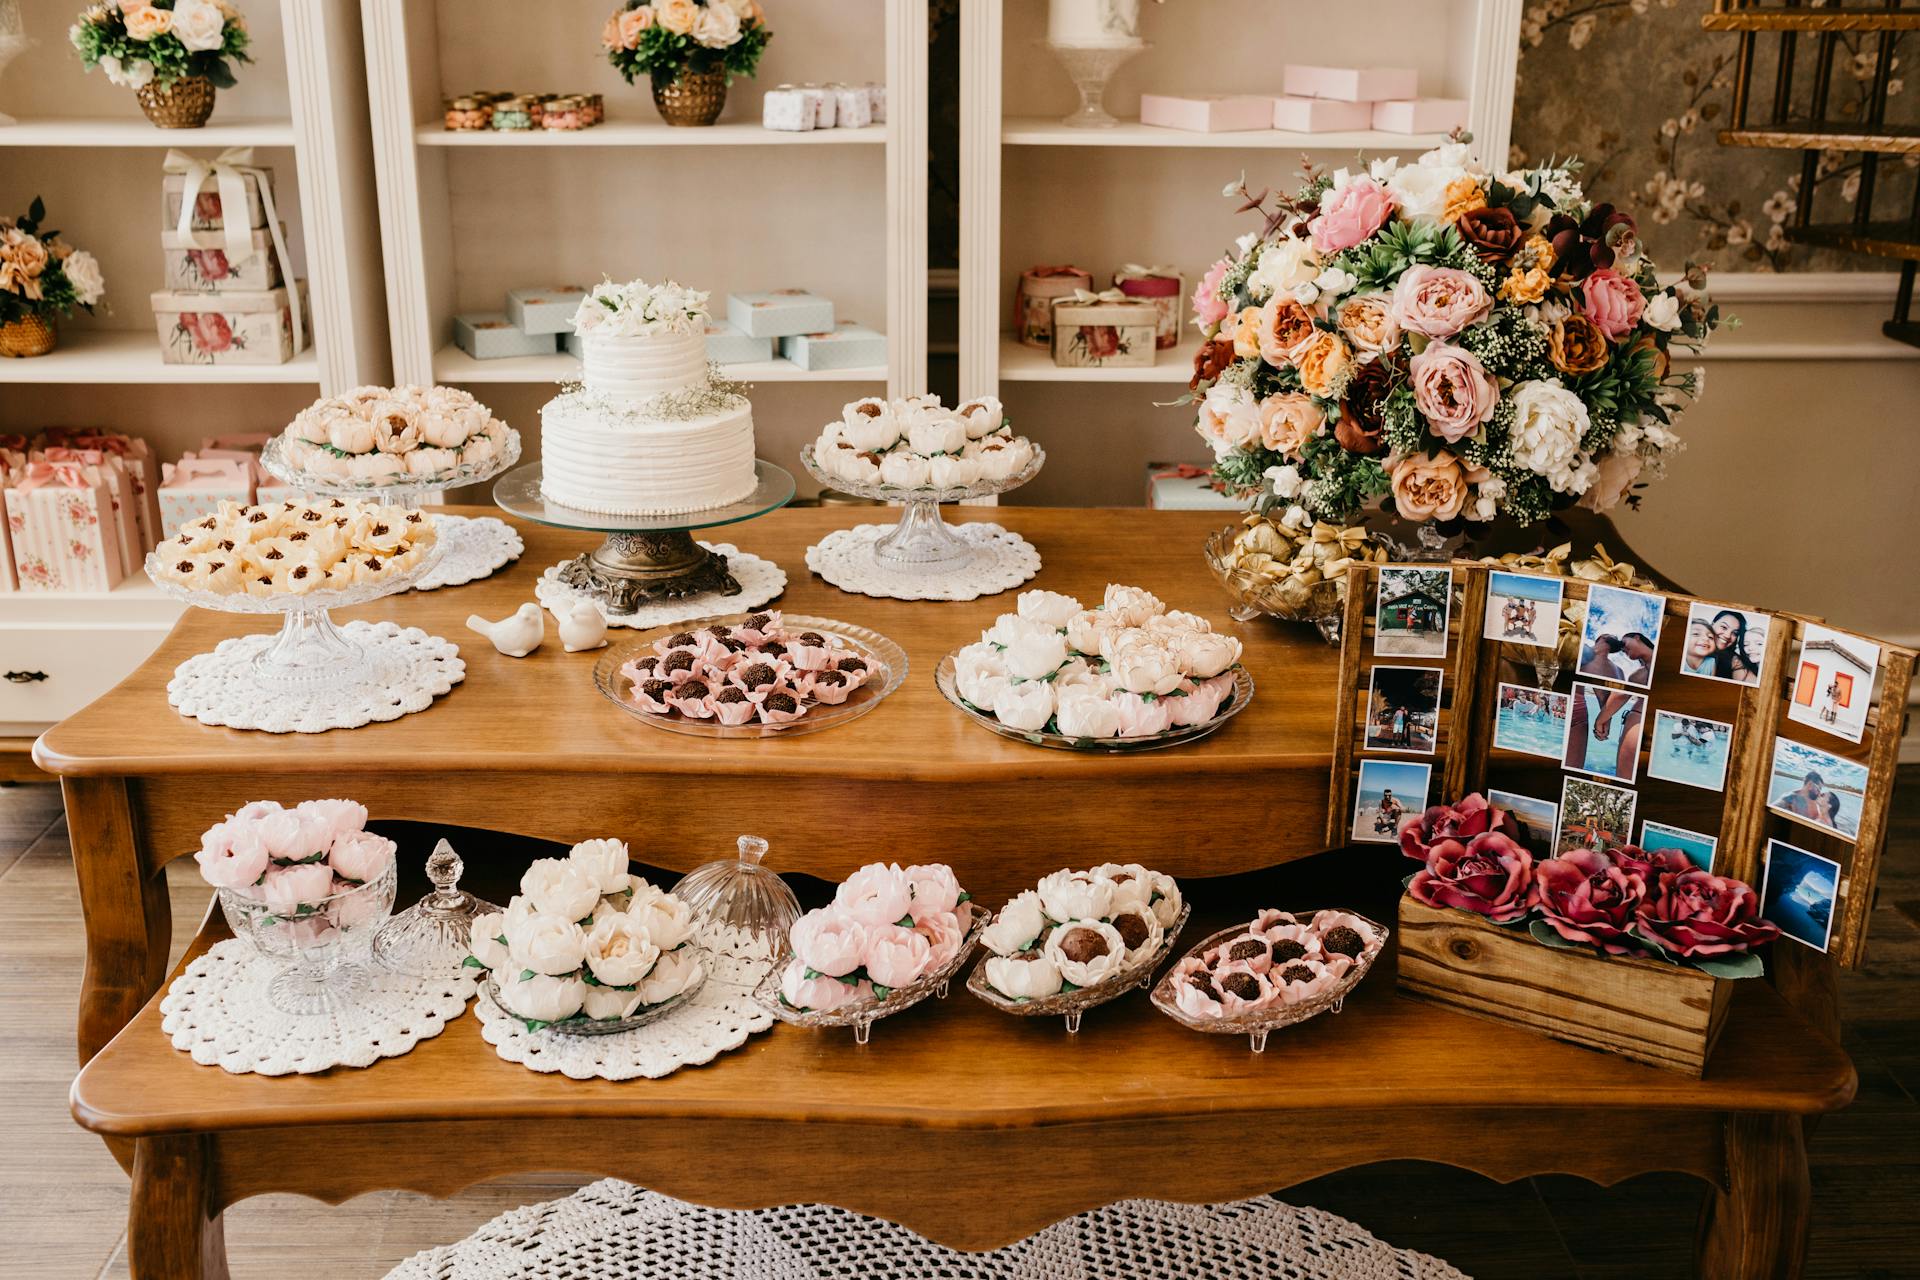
[1623, 903]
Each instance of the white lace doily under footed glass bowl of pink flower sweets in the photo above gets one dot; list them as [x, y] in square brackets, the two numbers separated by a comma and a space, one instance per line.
[218, 1012]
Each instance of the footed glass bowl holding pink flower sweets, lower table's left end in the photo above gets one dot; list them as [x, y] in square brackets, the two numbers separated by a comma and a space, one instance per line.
[325, 941]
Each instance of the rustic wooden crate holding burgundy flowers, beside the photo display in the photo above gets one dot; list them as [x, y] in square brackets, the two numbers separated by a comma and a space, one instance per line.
[1660, 1014]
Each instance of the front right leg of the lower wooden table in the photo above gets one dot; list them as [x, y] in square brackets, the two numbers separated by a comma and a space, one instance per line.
[1756, 1227]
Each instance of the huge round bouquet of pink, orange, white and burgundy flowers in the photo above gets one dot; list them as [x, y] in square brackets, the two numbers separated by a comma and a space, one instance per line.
[1464, 343]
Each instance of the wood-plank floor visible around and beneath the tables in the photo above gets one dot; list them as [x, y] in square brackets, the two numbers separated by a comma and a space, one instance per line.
[64, 1200]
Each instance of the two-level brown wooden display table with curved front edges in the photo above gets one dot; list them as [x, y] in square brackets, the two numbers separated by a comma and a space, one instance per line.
[957, 1122]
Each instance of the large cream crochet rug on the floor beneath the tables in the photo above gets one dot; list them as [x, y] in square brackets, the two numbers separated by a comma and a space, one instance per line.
[615, 1229]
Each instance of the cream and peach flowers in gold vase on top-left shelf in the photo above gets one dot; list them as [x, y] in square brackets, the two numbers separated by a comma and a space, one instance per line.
[156, 43]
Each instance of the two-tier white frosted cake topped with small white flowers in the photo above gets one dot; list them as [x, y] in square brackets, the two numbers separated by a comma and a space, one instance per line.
[646, 435]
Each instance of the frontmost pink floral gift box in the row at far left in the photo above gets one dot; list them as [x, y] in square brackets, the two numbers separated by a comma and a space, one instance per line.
[60, 523]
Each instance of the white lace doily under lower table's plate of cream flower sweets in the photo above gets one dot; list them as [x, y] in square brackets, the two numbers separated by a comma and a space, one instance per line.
[719, 1018]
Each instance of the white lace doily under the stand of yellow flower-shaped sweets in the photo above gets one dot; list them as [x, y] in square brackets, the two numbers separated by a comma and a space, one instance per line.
[410, 669]
